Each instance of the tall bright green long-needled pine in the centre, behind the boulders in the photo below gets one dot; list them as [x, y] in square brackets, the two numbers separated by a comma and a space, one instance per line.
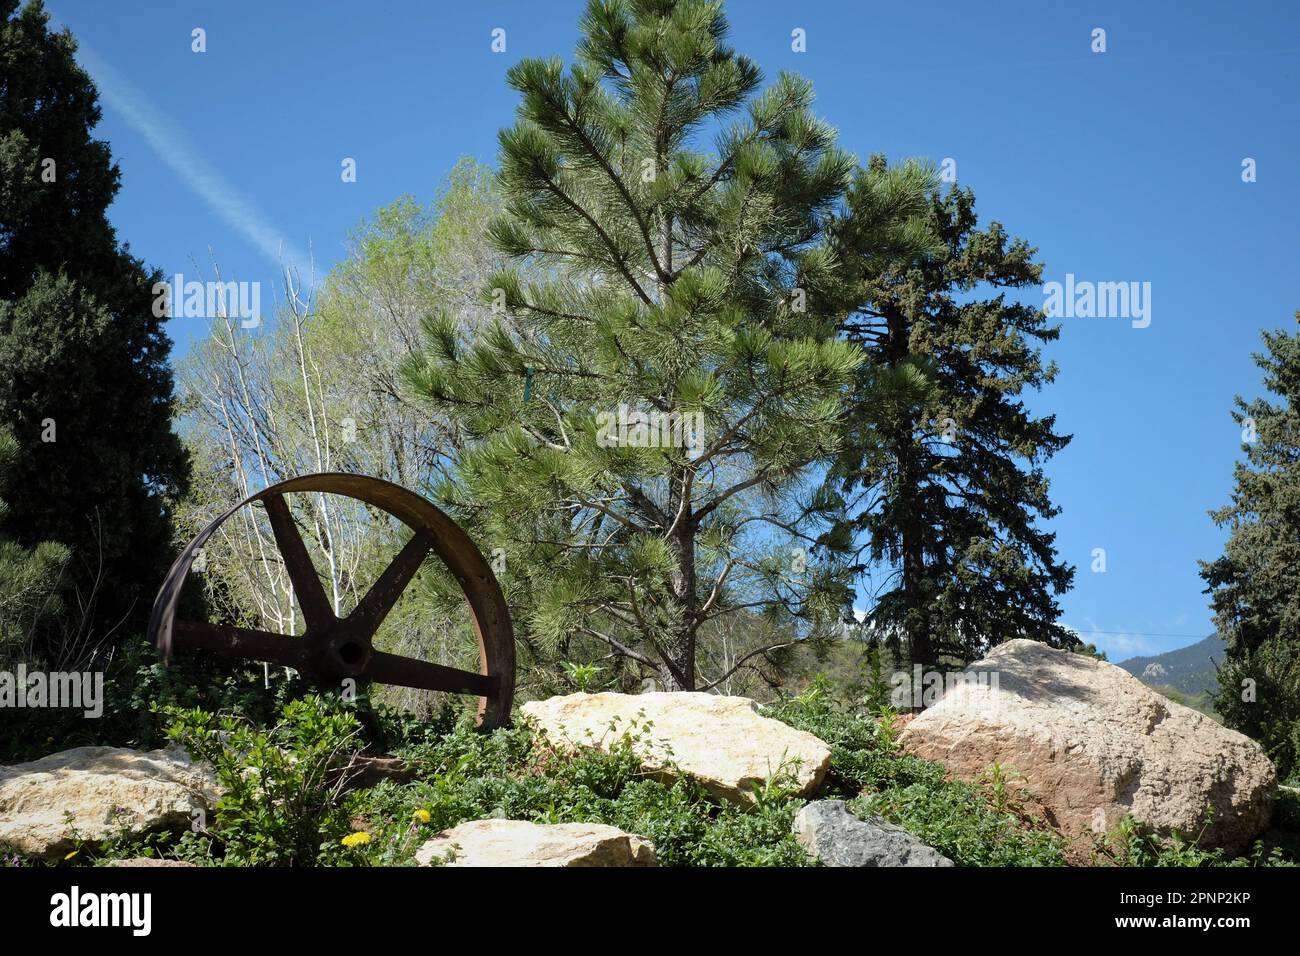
[639, 423]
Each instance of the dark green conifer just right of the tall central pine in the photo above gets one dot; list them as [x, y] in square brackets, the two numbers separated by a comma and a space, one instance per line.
[942, 464]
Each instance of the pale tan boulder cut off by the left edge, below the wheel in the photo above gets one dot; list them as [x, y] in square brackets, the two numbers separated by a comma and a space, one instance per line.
[96, 793]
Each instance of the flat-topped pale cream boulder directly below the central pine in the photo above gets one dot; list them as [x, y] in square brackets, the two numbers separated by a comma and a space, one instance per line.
[721, 742]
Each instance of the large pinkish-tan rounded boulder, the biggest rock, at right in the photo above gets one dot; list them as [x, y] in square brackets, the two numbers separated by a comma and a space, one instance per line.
[1093, 745]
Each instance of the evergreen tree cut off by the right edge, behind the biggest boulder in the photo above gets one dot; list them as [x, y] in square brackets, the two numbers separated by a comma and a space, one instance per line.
[1255, 585]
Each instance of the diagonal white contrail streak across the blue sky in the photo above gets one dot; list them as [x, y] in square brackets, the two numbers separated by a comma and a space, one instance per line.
[172, 146]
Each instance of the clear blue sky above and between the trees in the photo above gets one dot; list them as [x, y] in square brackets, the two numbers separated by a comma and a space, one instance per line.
[1124, 166]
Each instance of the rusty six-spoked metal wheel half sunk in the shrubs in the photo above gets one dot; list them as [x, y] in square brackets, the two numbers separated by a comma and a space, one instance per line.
[335, 648]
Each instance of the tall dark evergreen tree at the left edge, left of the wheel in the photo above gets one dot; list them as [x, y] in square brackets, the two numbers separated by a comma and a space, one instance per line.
[86, 390]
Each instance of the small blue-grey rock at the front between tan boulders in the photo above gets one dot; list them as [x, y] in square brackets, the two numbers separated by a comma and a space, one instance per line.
[834, 837]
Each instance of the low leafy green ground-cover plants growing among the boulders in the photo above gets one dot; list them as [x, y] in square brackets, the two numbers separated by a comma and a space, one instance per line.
[283, 803]
